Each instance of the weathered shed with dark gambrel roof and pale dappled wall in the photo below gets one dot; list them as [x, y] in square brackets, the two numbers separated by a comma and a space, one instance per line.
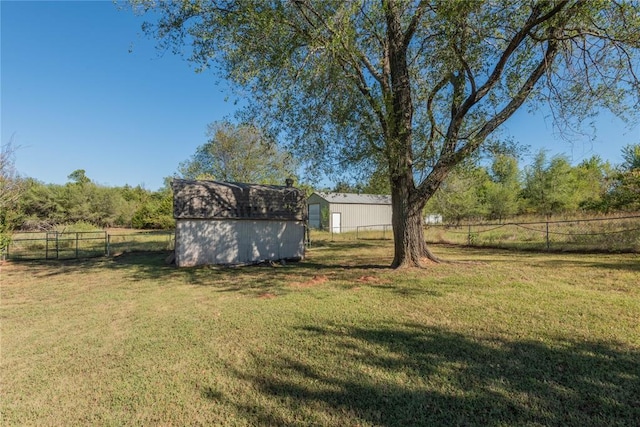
[233, 223]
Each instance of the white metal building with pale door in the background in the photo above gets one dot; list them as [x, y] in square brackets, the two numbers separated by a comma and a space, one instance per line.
[341, 212]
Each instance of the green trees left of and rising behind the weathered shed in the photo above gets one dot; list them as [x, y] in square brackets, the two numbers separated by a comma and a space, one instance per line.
[234, 152]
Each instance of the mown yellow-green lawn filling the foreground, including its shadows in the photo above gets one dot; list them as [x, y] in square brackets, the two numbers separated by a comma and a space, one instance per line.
[335, 340]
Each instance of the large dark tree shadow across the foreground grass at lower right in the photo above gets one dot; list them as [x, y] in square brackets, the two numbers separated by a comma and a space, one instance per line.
[400, 375]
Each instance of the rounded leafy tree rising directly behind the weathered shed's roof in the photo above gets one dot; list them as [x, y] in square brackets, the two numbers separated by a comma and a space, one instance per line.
[238, 153]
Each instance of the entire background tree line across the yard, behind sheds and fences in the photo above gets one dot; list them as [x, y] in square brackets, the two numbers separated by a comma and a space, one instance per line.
[496, 188]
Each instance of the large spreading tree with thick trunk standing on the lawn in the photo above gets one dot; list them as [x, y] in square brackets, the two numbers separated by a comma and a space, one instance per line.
[417, 85]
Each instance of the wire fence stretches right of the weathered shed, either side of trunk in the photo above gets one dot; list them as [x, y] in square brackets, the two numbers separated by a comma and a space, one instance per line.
[614, 234]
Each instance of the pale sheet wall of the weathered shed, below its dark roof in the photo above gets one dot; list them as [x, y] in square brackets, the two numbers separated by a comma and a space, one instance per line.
[201, 241]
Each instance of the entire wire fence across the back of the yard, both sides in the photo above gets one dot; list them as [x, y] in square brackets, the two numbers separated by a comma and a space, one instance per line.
[616, 234]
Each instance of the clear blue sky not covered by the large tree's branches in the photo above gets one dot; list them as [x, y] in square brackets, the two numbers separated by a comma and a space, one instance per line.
[83, 88]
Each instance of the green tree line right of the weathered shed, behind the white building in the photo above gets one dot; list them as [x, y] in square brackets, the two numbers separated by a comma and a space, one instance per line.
[548, 186]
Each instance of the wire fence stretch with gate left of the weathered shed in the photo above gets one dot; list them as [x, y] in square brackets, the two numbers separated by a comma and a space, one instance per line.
[85, 244]
